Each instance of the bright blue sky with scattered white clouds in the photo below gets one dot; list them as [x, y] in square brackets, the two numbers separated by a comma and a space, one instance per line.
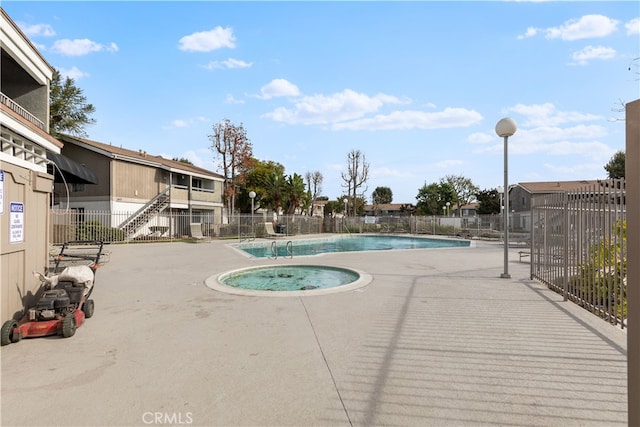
[417, 87]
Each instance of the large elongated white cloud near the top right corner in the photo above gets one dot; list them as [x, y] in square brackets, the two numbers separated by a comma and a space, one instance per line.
[586, 27]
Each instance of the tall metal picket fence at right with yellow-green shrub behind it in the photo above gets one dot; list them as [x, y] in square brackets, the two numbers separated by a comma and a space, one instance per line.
[579, 247]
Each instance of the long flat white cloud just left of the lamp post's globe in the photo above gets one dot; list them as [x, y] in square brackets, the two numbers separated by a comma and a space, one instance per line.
[412, 119]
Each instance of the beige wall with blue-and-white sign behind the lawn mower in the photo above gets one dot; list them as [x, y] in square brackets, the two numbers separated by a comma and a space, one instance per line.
[19, 260]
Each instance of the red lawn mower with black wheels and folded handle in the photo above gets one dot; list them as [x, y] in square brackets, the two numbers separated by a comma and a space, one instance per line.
[65, 304]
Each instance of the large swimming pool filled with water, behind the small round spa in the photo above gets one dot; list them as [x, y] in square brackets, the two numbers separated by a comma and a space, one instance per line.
[351, 243]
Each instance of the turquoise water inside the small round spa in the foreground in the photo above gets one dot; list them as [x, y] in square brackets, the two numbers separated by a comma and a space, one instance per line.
[289, 278]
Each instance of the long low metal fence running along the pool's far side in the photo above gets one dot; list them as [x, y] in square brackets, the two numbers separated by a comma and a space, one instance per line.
[170, 225]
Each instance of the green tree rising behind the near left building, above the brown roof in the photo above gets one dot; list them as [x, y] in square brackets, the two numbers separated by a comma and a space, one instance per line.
[69, 111]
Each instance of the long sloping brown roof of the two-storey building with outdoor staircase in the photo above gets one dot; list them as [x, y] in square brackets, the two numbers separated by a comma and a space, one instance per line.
[140, 156]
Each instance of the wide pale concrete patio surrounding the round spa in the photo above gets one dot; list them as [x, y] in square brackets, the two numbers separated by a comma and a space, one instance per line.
[437, 338]
